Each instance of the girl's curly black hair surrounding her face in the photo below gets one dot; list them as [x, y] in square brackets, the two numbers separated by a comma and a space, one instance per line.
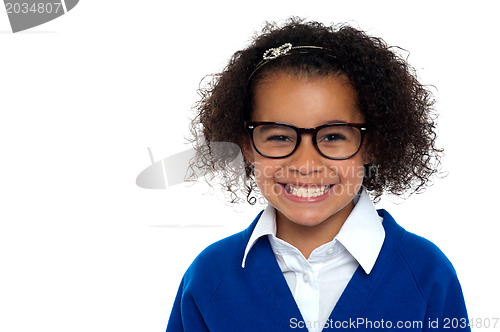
[398, 109]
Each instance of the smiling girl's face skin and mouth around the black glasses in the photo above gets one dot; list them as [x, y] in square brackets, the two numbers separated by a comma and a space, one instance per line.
[327, 186]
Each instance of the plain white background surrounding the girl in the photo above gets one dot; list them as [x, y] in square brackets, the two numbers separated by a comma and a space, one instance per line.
[82, 248]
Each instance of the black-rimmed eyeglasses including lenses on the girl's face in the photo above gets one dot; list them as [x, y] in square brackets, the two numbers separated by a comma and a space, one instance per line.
[335, 141]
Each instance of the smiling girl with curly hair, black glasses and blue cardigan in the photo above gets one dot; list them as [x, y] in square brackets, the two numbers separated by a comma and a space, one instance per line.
[324, 116]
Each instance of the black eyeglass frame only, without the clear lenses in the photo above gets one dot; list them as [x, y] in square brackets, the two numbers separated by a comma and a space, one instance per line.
[251, 125]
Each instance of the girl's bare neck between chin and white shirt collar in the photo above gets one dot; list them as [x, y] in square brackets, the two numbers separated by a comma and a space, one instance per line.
[306, 238]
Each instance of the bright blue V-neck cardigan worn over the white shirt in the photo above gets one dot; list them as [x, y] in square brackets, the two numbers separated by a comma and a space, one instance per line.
[412, 287]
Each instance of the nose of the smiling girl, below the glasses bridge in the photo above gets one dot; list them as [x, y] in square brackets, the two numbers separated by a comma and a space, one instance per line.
[306, 159]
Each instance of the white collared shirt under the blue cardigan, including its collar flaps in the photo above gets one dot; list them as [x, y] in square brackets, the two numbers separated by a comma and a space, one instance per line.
[318, 282]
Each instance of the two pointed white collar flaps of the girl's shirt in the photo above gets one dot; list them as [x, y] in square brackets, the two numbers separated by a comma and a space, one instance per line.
[362, 233]
